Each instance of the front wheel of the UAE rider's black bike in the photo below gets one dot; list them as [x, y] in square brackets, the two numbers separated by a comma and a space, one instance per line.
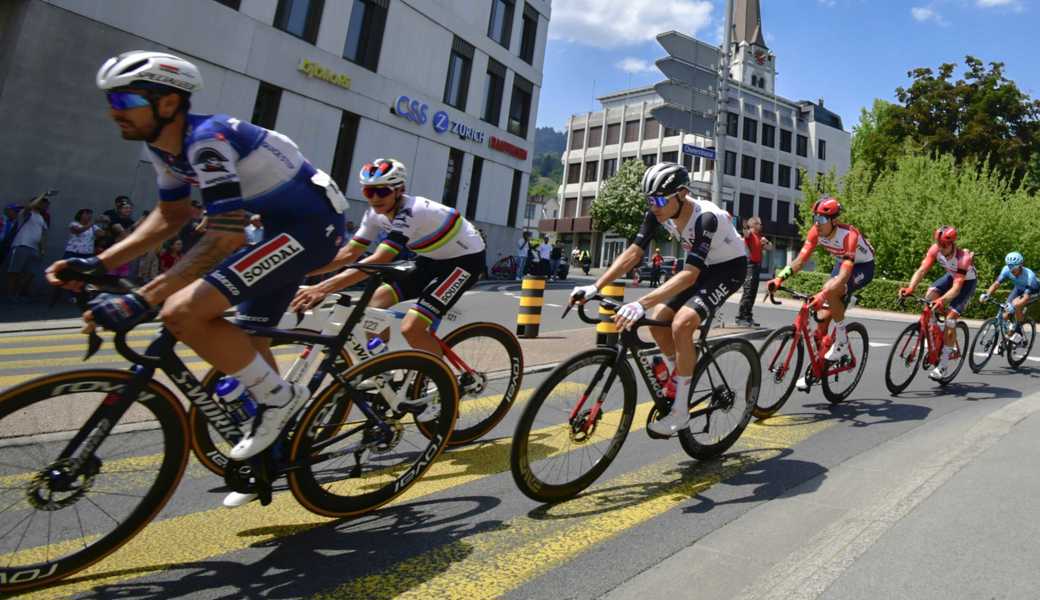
[574, 427]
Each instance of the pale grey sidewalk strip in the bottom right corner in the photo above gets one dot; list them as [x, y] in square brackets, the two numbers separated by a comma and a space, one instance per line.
[946, 511]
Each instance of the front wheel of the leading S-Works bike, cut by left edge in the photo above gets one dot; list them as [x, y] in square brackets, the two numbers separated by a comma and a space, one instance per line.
[59, 516]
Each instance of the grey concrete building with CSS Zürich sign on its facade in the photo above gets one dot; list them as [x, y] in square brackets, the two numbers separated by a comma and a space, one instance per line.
[452, 89]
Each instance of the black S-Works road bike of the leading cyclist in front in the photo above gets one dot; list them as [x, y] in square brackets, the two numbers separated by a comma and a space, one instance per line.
[89, 458]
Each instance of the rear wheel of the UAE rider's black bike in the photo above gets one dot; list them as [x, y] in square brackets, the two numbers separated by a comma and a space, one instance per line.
[723, 395]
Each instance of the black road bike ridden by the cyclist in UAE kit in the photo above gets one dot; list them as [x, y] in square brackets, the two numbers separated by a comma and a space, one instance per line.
[578, 420]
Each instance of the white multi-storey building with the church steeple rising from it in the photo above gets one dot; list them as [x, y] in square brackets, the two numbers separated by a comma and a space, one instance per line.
[768, 140]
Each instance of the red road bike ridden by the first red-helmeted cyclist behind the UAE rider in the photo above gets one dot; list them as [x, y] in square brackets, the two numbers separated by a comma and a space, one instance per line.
[784, 353]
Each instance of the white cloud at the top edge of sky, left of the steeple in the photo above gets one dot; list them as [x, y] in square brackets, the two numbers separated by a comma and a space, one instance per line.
[614, 23]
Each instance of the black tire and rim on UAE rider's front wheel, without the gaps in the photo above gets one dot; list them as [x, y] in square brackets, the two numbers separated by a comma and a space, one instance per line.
[524, 452]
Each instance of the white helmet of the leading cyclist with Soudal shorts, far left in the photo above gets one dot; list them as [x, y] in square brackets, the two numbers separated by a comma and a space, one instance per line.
[152, 68]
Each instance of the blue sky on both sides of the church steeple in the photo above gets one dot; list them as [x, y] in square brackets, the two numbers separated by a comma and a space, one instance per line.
[847, 53]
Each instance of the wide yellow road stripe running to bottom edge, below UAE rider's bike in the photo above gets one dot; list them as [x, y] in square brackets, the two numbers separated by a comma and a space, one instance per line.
[491, 564]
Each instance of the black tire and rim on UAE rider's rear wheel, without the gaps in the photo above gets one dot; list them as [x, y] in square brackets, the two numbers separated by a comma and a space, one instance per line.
[697, 449]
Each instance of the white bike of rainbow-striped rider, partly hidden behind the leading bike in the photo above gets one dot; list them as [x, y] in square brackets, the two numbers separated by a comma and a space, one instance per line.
[485, 357]
